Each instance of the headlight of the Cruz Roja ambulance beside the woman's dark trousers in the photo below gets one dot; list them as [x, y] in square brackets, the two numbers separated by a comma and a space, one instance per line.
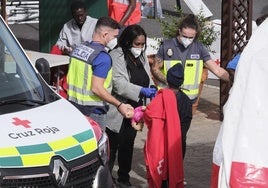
[104, 148]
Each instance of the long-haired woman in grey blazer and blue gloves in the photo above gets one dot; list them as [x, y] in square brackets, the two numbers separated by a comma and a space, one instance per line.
[131, 82]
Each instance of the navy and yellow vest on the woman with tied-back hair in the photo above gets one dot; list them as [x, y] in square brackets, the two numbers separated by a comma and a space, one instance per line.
[193, 65]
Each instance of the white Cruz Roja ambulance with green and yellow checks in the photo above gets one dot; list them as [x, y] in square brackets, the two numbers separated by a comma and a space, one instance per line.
[45, 140]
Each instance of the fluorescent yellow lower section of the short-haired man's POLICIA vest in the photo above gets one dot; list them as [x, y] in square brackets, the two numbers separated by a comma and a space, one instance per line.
[79, 87]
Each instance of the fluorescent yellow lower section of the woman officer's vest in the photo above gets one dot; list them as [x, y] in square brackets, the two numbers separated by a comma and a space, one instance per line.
[192, 75]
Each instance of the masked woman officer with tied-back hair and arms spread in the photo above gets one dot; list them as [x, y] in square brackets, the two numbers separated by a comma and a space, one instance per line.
[187, 50]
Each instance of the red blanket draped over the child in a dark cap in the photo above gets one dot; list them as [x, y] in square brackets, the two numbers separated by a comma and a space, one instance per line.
[163, 147]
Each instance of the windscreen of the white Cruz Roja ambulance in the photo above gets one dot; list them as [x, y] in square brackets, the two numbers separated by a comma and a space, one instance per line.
[17, 77]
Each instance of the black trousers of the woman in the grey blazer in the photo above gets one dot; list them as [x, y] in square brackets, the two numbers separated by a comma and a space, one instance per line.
[122, 143]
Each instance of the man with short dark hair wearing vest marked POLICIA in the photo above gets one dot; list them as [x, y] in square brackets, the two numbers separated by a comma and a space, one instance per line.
[89, 74]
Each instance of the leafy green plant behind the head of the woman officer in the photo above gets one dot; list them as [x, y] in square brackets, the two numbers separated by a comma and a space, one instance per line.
[171, 24]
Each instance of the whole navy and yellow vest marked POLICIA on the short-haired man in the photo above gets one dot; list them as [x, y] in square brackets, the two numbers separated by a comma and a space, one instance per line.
[80, 73]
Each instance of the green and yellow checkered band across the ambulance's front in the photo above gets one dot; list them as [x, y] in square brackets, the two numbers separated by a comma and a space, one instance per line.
[69, 148]
